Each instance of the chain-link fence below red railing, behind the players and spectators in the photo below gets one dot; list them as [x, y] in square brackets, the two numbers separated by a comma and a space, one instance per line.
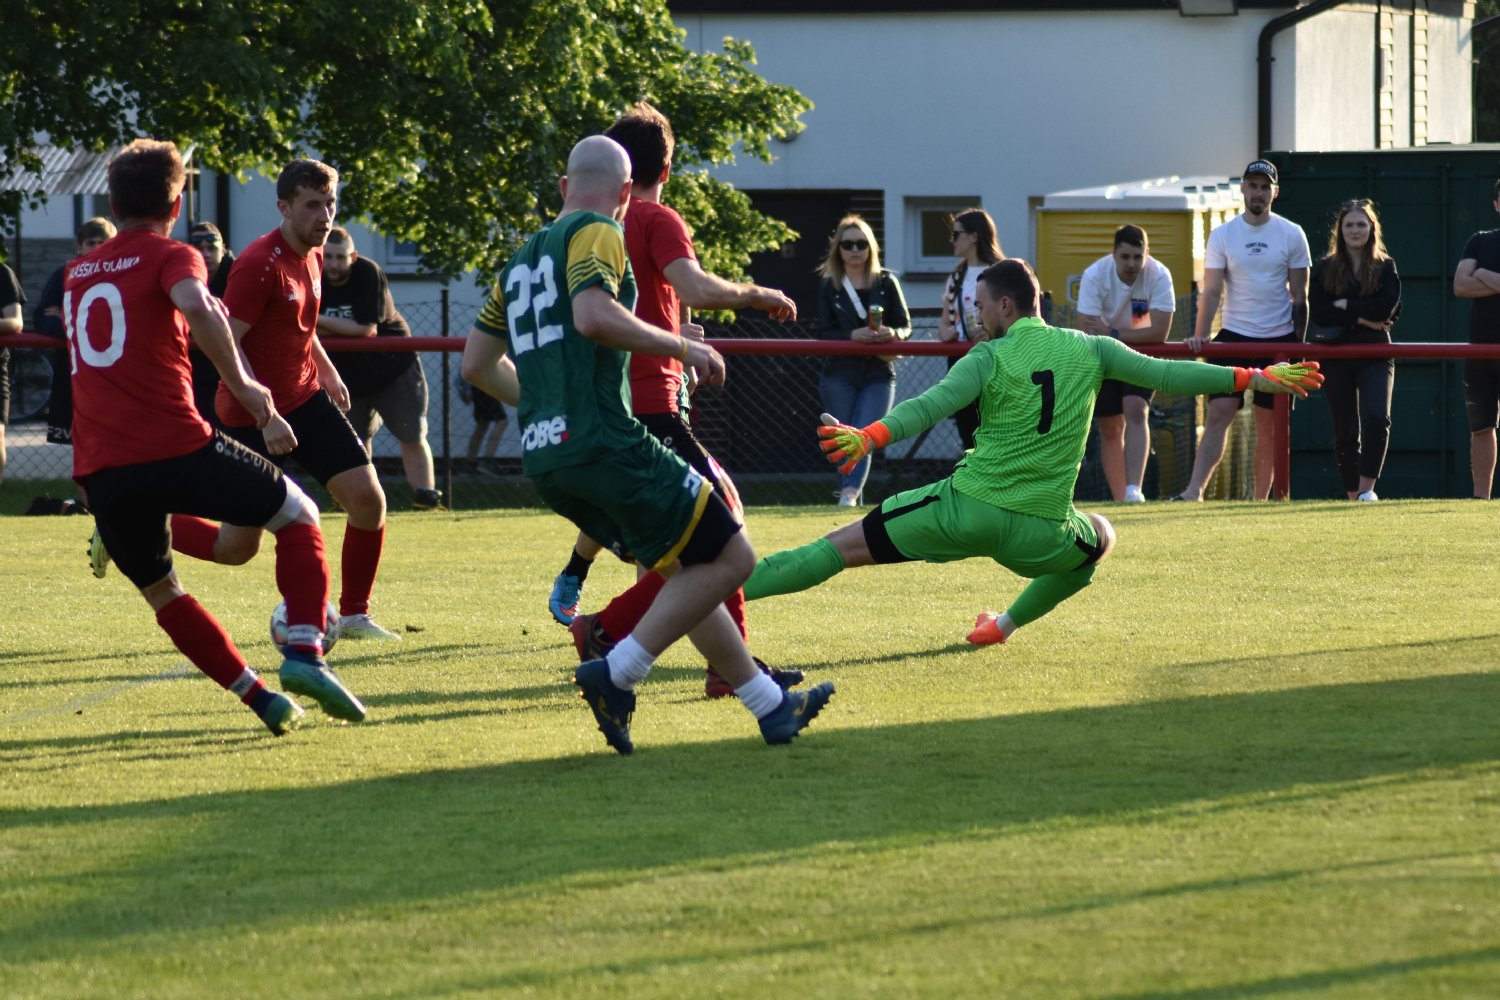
[760, 425]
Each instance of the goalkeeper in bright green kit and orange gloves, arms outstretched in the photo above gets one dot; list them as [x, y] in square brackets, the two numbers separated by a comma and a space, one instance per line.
[1010, 497]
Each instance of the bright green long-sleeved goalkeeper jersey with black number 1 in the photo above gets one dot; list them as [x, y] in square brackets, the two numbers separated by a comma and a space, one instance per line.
[1036, 391]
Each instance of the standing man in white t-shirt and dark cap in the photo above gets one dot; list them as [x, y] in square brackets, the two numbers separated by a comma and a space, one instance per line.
[1258, 265]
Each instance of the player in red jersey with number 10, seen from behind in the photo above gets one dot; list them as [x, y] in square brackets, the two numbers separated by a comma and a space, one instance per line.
[142, 452]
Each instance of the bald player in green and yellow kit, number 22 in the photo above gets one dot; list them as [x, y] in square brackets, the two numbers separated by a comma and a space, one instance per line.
[554, 341]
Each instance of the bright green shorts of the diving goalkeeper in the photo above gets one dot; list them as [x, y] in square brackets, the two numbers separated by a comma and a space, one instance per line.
[938, 524]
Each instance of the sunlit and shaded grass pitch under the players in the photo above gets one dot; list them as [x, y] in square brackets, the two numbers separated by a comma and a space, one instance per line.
[1256, 759]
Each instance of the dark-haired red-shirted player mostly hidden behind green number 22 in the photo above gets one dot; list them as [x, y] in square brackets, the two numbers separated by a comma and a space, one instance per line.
[670, 281]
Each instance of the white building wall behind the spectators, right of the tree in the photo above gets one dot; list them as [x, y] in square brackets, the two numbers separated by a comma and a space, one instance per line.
[1012, 107]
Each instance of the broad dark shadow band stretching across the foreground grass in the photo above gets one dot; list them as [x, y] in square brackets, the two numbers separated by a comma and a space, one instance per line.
[604, 821]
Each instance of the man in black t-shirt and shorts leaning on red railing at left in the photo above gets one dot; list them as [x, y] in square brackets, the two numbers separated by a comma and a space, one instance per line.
[385, 386]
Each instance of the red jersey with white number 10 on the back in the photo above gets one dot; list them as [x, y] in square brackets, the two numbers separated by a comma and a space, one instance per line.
[128, 349]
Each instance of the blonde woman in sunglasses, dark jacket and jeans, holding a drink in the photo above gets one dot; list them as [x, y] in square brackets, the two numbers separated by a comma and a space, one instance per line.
[859, 302]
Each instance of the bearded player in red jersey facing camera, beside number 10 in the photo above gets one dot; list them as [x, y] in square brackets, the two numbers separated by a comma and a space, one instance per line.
[274, 298]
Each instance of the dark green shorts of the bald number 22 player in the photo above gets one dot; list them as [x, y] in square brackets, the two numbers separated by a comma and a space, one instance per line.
[643, 503]
